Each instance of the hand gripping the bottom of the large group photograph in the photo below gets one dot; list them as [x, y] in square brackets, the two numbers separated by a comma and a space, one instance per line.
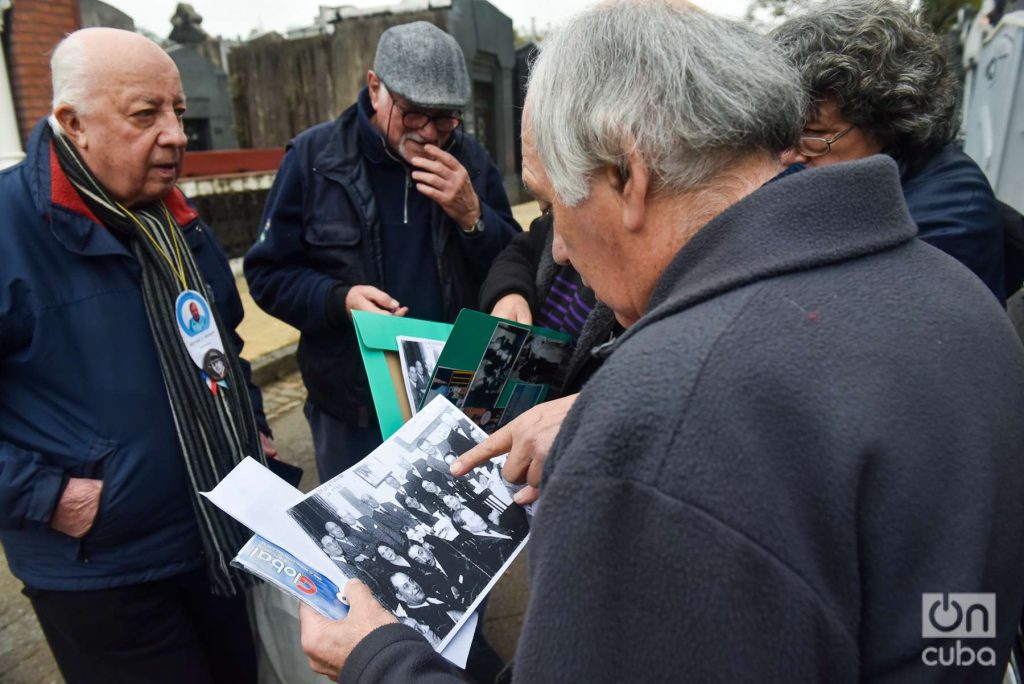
[328, 644]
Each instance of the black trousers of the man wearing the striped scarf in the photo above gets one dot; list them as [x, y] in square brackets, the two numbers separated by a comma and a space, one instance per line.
[167, 631]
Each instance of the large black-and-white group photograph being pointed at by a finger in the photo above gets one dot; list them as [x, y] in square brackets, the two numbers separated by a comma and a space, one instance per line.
[429, 545]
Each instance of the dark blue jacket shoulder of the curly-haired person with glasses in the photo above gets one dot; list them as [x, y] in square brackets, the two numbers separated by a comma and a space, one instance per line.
[953, 204]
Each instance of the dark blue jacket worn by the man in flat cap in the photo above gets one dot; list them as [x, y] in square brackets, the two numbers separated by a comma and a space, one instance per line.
[321, 235]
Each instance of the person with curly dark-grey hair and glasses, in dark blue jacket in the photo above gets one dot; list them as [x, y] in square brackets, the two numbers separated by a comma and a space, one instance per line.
[879, 84]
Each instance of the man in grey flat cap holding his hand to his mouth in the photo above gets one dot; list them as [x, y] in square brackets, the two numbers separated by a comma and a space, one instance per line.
[392, 208]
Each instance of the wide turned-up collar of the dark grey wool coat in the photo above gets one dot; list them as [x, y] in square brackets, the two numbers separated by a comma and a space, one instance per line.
[799, 223]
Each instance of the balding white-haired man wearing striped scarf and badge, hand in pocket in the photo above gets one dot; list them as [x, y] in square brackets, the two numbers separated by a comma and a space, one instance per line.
[122, 394]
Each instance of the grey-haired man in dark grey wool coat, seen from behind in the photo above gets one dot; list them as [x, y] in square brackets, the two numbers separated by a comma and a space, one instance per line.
[781, 459]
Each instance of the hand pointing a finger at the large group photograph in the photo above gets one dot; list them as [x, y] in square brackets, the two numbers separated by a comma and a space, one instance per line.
[528, 441]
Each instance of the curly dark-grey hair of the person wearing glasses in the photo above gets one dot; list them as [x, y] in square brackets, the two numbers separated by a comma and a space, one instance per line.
[884, 67]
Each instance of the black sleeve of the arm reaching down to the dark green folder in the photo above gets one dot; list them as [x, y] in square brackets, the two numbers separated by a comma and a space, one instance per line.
[515, 271]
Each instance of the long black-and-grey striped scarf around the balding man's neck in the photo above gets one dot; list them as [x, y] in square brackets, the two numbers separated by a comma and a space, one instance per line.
[217, 430]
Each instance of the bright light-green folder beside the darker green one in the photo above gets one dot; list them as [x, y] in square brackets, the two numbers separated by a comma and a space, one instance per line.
[377, 335]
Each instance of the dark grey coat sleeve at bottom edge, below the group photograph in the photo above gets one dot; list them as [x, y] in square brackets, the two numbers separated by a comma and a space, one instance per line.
[396, 654]
